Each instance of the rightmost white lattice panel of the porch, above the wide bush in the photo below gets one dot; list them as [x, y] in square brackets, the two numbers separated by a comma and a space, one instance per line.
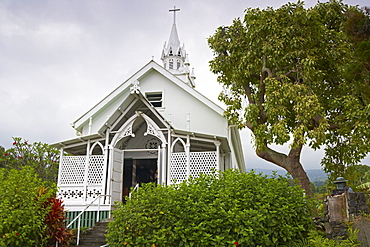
[202, 162]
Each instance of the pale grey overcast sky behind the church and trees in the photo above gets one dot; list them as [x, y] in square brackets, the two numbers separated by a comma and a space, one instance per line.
[59, 58]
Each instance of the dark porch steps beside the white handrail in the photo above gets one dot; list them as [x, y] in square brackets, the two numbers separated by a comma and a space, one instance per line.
[95, 236]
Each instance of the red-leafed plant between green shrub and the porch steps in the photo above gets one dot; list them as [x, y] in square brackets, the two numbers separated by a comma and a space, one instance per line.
[55, 222]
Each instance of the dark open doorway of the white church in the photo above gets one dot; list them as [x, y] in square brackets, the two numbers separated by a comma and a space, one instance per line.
[138, 171]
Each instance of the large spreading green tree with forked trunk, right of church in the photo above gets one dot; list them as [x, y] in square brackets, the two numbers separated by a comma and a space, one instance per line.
[283, 72]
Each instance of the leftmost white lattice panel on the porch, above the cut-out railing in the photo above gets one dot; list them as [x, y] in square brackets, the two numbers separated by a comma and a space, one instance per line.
[72, 170]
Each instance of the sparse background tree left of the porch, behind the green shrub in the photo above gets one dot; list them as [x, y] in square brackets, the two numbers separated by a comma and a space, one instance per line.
[43, 158]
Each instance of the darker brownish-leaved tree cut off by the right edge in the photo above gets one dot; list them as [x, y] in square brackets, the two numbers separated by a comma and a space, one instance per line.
[356, 74]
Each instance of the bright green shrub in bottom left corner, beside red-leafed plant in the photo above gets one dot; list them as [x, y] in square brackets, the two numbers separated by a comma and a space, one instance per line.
[22, 208]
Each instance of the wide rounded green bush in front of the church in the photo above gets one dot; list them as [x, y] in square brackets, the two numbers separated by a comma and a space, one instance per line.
[226, 209]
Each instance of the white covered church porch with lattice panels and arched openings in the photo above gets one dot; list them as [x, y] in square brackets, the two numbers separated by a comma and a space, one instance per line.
[111, 166]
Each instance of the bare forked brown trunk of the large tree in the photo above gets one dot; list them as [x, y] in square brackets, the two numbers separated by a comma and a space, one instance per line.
[291, 163]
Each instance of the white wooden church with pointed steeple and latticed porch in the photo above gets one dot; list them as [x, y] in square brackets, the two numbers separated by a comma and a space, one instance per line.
[155, 127]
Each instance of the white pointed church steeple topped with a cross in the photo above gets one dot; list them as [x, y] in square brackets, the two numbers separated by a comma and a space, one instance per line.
[174, 56]
